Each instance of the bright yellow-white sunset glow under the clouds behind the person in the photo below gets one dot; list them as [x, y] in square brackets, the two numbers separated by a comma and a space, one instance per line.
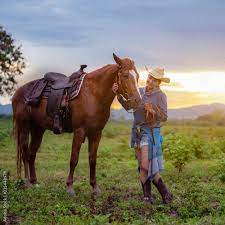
[188, 89]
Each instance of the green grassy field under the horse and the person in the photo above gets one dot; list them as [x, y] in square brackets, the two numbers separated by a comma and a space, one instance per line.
[198, 152]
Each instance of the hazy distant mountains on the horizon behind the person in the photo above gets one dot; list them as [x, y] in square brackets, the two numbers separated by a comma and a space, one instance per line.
[181, 113]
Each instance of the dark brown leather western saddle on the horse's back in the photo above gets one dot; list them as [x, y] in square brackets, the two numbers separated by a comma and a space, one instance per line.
[58, 89]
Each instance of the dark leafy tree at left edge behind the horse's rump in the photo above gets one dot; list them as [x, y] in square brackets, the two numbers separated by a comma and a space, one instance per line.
[11, 62]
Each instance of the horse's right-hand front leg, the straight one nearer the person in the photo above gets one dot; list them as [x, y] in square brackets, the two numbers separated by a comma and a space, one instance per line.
[93, 142]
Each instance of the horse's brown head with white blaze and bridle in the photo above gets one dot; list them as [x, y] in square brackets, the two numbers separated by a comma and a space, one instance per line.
[127, 80]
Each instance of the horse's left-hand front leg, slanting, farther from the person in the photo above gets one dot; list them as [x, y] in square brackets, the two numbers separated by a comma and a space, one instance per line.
[78, 138]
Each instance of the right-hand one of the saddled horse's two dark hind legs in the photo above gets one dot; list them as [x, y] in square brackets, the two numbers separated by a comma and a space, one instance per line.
[36, 139]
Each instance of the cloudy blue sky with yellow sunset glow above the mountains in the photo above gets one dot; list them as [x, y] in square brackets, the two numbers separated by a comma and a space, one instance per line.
[185, 37]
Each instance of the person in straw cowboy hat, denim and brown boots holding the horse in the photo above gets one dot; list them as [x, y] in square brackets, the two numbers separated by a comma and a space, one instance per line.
[146, 137]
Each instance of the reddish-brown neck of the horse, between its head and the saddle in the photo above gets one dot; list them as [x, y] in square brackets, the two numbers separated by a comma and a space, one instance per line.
[102, 80]
